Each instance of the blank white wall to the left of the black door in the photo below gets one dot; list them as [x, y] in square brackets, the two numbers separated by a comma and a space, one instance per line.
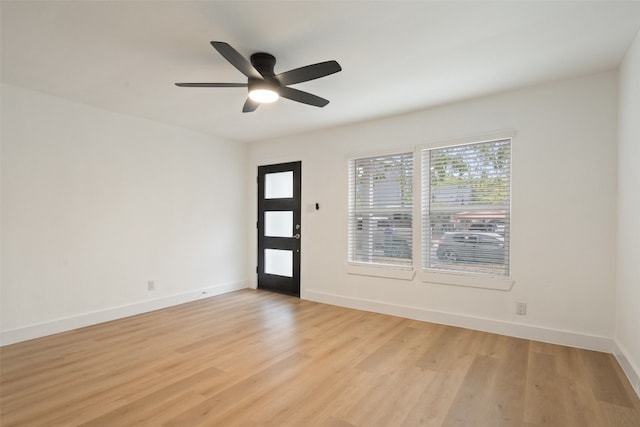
[95, 204]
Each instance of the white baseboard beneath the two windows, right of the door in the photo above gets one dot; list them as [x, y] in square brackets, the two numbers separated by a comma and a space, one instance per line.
[536, 333]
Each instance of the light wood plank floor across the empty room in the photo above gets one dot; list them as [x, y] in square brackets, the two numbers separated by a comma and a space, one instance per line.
[253, 358]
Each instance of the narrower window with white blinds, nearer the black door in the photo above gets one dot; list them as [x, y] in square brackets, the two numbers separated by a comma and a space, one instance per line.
[381, 210]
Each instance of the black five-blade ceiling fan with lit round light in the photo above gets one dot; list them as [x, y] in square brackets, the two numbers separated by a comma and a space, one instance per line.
[264, 85]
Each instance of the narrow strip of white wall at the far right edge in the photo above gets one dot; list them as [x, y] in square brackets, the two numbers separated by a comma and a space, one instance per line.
[627, 334]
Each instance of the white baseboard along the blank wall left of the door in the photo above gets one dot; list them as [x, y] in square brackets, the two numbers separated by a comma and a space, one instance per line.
[87, 319]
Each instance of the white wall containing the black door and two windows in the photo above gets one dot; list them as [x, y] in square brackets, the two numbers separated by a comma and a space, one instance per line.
[564, 211]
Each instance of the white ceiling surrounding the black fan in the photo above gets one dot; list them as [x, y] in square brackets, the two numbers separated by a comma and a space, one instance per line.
[396, 56]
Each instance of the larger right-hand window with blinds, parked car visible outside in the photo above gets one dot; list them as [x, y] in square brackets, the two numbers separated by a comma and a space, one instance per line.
[466, 198]
